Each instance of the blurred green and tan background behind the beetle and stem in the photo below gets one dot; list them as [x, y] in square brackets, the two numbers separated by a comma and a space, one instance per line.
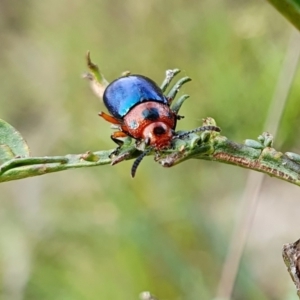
[98, 234]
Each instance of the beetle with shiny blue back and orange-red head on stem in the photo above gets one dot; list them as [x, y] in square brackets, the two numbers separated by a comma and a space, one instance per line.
[139, 109]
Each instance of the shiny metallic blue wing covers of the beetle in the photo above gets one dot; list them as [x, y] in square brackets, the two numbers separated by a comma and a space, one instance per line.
[124, 93]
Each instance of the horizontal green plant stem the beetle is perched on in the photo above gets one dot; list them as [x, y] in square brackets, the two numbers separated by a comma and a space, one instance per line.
[217, 148]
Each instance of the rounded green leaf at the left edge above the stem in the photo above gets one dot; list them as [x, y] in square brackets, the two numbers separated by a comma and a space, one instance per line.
[12, 143]
